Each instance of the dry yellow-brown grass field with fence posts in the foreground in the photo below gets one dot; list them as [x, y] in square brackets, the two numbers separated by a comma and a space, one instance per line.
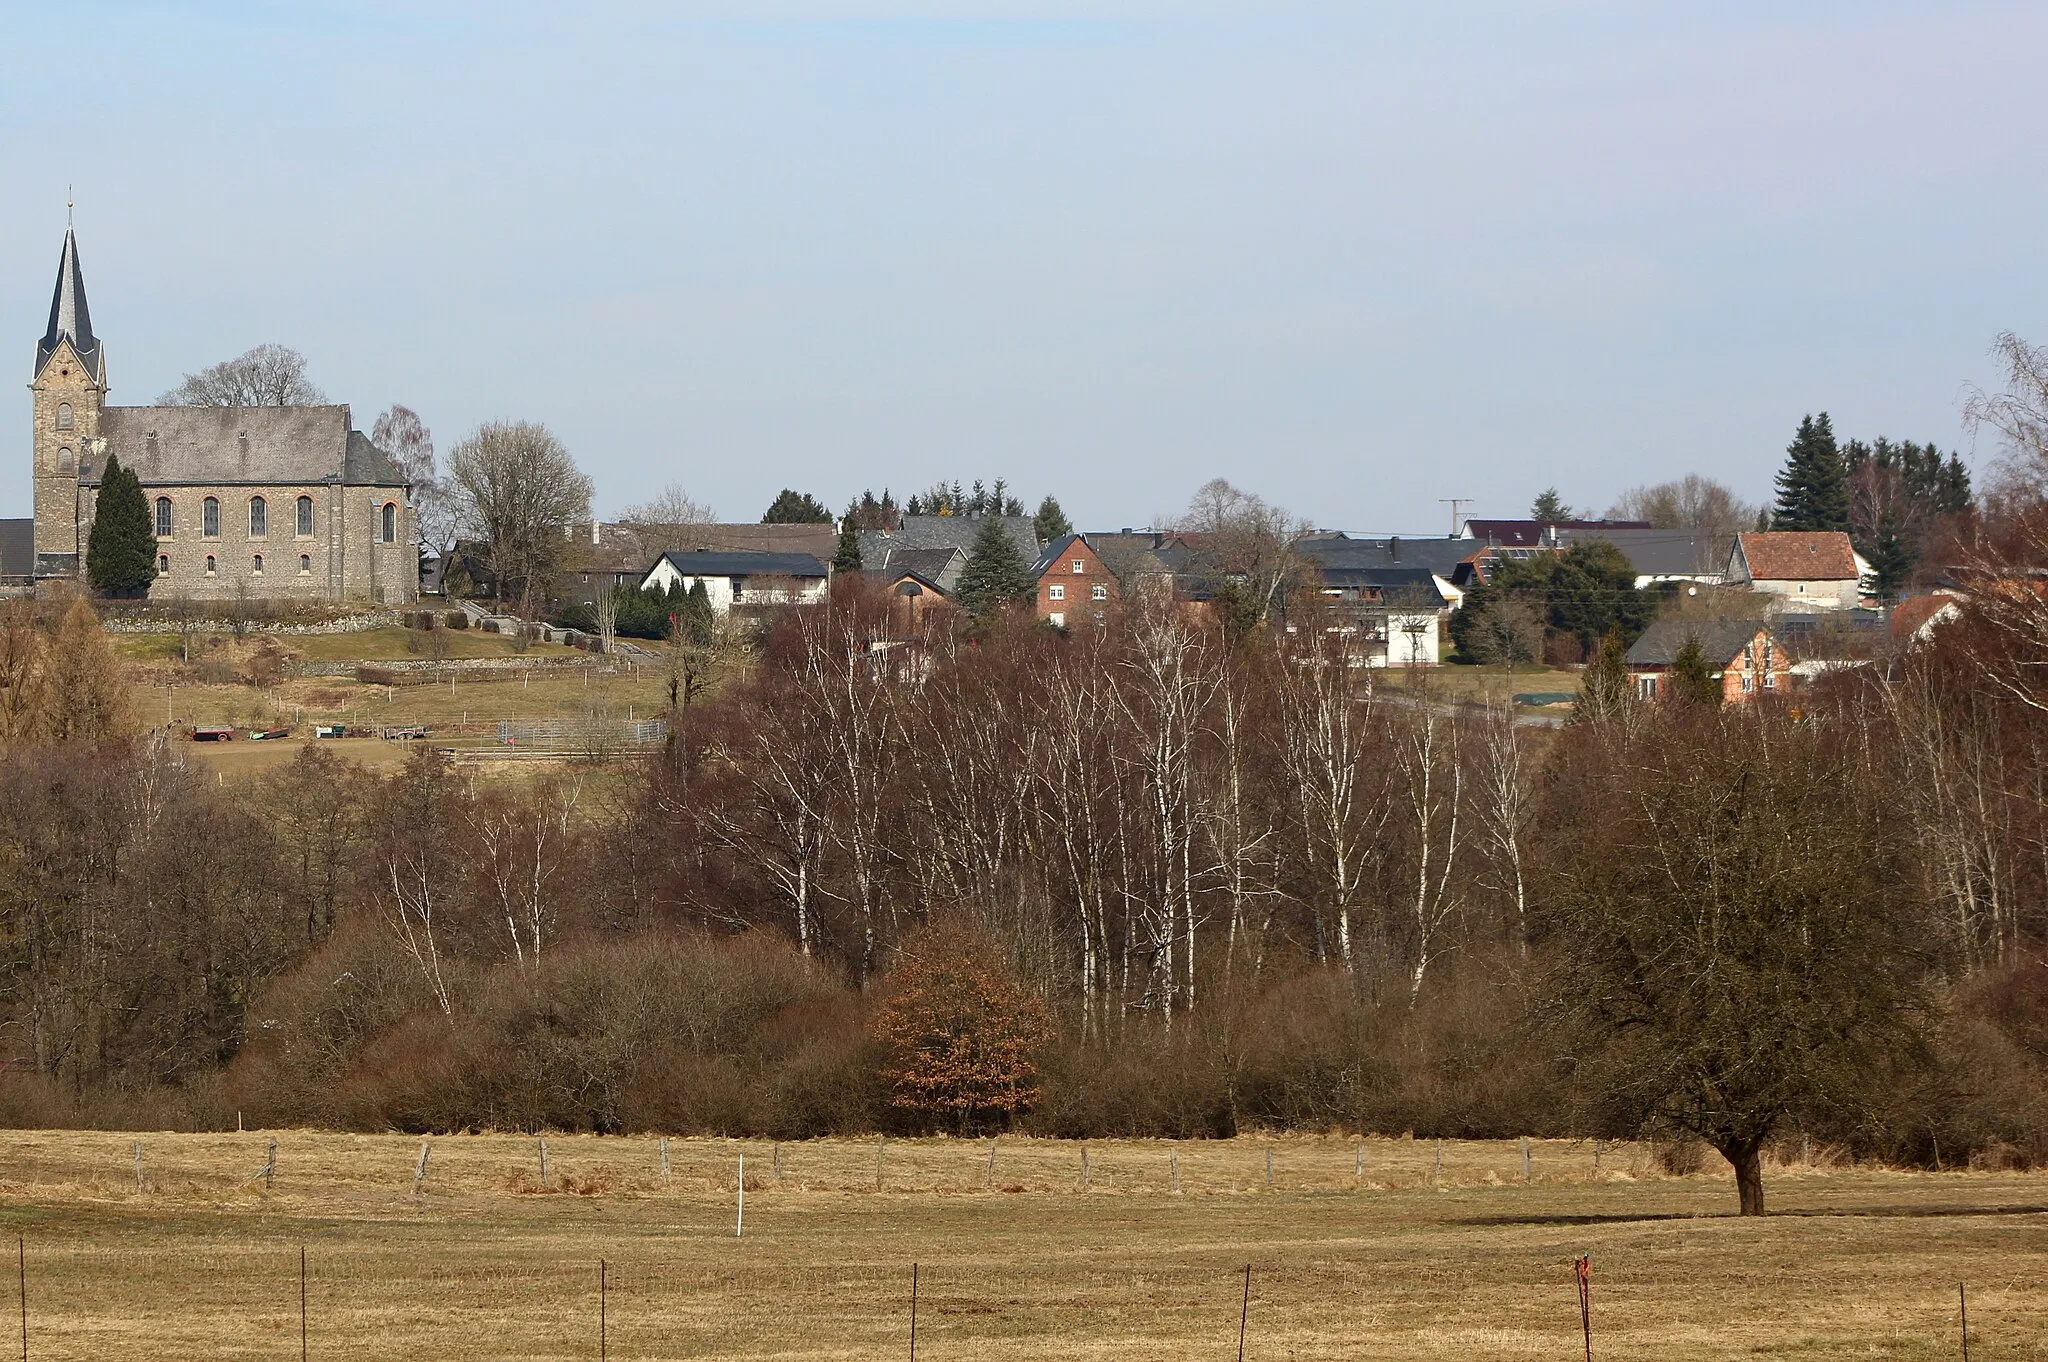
[1398, 1263]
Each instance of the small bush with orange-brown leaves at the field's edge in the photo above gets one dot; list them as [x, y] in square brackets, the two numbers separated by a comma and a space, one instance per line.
[962, 1035]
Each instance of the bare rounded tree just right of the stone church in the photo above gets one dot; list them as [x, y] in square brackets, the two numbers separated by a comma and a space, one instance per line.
[517, 488]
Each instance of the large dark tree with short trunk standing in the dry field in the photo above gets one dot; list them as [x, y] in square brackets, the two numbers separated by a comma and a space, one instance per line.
[1736, 933]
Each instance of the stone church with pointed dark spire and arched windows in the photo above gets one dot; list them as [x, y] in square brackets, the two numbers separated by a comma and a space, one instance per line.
[249, 503]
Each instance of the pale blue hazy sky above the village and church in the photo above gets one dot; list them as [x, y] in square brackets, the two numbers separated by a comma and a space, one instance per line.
[1353, 257]
